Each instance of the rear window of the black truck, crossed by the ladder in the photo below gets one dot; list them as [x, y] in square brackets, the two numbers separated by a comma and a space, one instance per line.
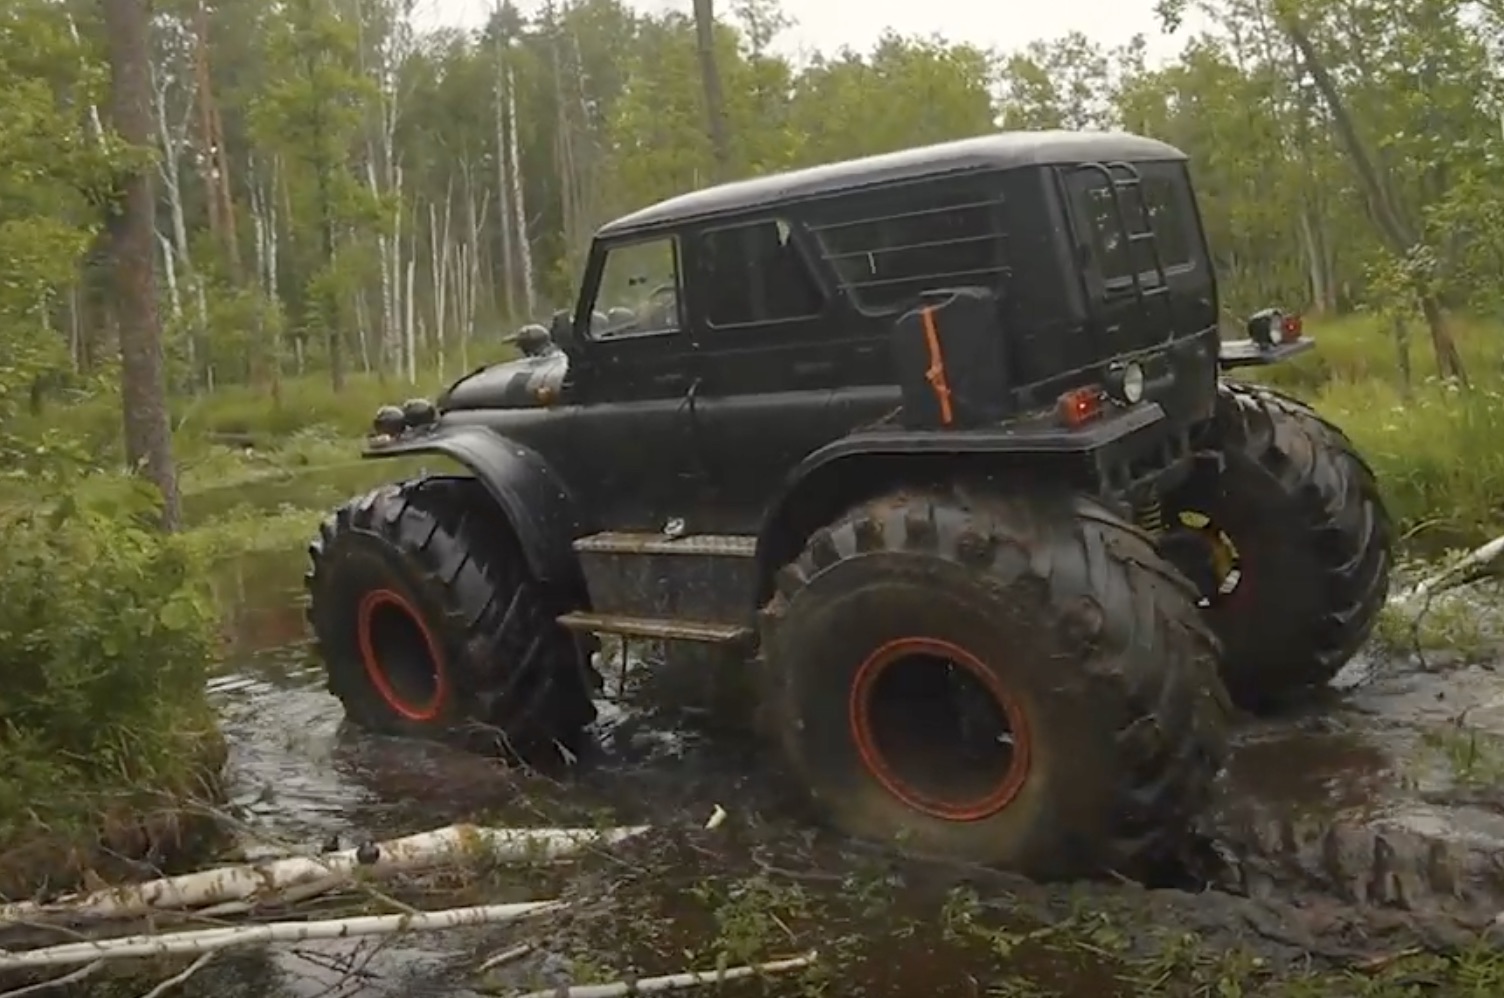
[1165, 198]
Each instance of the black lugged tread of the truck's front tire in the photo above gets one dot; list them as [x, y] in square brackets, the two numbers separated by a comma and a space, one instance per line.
[493, 606]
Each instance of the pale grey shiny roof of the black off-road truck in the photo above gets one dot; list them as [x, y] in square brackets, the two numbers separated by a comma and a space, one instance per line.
[998, 151]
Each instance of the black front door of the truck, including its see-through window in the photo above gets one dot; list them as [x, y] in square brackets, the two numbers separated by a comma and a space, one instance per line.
[637, 452]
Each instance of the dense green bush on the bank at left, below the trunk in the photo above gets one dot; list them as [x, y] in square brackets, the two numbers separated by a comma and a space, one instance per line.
[106, 640]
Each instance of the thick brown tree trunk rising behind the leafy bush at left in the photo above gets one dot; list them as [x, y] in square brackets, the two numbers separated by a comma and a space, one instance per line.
[133, 231]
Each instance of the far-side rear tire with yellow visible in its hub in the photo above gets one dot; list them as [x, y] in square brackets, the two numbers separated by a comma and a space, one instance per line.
[1290, 543]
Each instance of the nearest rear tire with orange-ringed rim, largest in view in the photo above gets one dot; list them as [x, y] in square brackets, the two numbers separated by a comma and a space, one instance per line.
[1008, 682]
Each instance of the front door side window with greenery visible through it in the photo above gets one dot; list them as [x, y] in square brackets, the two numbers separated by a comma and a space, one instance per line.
[638, 292]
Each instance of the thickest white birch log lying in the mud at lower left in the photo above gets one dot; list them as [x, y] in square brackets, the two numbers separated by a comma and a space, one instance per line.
[232, 888]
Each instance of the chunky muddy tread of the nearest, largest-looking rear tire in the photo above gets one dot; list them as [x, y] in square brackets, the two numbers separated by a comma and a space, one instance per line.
[1174, 734]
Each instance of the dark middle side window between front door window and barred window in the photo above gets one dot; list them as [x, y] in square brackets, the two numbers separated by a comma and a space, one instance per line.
[756, 274]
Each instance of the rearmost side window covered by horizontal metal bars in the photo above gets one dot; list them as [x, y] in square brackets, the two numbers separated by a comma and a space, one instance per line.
[894, 244]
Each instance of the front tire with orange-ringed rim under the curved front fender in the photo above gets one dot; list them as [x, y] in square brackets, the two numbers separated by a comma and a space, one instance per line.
[429, 625]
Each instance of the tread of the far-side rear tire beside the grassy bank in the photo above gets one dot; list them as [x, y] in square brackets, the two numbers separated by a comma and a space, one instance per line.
[1341, 510]
